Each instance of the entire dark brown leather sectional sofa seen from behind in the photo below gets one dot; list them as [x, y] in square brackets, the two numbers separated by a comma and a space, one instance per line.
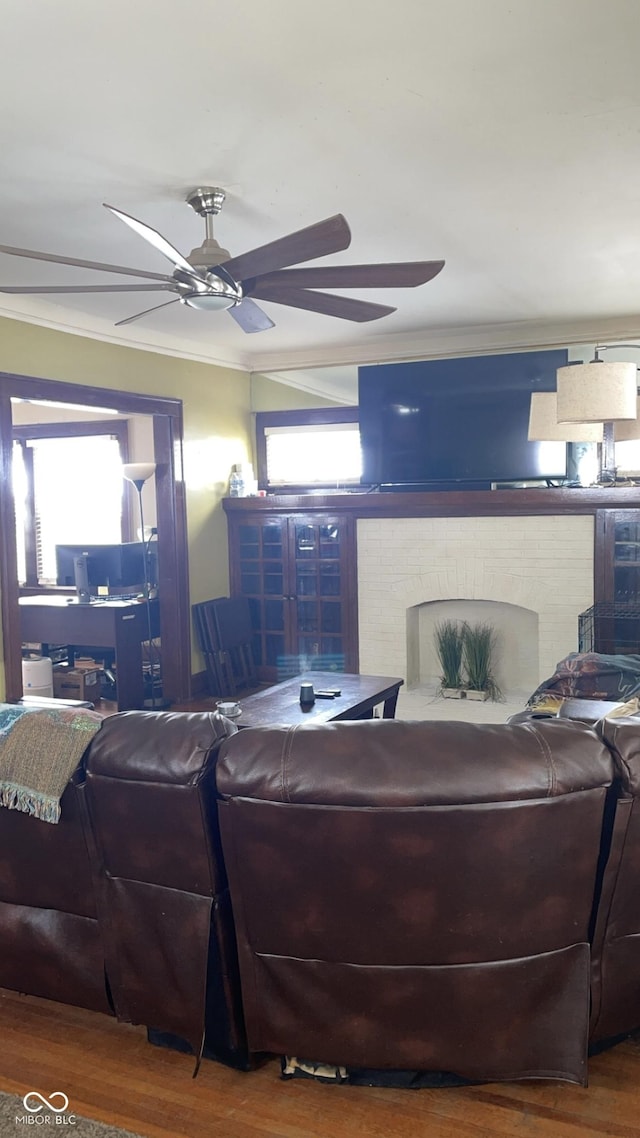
[430, 896]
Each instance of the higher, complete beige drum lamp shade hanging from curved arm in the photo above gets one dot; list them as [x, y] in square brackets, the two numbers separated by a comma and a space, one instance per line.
[597, 392]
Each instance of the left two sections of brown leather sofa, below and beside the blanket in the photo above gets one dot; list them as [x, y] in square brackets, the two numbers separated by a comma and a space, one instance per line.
[124, 906]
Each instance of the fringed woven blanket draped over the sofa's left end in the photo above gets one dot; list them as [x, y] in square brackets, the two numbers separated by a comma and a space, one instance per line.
[39, 753]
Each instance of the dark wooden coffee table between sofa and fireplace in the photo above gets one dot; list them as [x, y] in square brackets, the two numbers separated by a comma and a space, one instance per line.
[280, 706]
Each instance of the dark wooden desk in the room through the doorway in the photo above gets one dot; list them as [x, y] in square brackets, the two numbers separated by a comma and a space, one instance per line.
[119, 625]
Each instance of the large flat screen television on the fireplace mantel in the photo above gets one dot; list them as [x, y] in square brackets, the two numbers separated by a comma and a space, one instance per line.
[442, 423]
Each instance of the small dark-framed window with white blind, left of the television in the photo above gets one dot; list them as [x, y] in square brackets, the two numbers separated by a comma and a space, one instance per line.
[317, 449]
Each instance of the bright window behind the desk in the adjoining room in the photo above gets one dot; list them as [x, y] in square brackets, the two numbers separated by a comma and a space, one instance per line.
[69, 490]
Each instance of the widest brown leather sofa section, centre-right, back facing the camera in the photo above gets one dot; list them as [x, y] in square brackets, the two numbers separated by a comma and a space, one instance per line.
[417, 895]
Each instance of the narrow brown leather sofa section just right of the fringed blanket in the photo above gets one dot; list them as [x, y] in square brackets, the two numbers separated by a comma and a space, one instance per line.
[163, 900]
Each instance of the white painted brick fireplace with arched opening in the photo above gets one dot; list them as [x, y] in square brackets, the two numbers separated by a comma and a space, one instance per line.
[530, 576]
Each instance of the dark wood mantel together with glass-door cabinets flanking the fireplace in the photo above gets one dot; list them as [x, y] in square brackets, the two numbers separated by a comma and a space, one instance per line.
[294, 557]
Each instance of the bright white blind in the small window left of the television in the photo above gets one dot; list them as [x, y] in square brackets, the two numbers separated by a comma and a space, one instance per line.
[323, 455]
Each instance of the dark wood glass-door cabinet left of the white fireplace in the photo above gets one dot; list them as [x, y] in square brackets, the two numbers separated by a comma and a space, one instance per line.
[299, 573]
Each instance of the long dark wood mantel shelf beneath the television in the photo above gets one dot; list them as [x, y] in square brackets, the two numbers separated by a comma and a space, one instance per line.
[449, 504]
